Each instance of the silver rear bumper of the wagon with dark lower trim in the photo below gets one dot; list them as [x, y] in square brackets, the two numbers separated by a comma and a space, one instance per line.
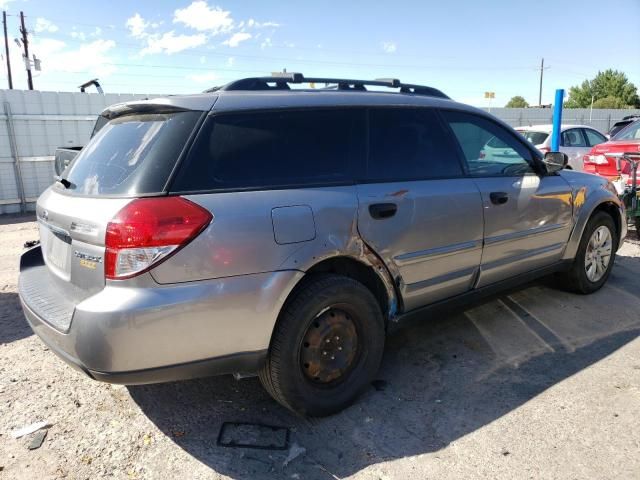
[158, 333]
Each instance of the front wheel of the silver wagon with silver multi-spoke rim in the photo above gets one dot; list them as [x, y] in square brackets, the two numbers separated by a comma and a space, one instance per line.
[594, 259]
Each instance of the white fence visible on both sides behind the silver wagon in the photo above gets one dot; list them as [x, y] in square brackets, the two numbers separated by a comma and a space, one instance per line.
[33, 124]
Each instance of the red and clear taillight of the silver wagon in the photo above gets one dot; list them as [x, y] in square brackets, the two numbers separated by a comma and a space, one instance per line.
[147, 231]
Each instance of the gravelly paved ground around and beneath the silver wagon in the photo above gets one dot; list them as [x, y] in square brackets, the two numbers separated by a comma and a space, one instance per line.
[535, 384]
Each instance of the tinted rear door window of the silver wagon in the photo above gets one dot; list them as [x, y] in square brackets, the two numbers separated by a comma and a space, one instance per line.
[409, 144]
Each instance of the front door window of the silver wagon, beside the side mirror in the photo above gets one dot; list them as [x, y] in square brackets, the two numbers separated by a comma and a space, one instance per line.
[488, 149]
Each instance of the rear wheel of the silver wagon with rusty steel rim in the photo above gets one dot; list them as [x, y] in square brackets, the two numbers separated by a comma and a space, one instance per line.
[326, 347]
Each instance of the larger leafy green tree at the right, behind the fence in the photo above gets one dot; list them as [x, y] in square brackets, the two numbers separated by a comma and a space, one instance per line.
[610, 84]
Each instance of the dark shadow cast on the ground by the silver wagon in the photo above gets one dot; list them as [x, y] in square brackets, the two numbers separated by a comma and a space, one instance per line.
[441, 379]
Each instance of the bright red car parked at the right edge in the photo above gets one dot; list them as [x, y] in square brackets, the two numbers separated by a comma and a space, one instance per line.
[599, 162]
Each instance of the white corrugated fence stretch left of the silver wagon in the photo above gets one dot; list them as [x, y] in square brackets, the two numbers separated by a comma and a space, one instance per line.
[41, 122]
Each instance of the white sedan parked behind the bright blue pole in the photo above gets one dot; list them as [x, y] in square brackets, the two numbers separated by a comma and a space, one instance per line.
[575, 140]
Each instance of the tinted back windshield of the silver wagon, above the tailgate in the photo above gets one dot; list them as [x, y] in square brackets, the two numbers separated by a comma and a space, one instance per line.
[131, 155]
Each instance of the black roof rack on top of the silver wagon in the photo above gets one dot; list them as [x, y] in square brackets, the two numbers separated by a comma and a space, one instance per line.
[281, 81]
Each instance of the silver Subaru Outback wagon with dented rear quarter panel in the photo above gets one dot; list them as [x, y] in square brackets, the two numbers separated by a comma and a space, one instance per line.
[264, 228]
